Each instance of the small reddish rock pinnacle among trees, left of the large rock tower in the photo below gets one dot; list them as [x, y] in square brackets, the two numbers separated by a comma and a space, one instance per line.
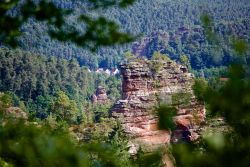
[100, 97]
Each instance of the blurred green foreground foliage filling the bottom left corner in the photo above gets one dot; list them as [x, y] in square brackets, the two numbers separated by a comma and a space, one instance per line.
[37, 147]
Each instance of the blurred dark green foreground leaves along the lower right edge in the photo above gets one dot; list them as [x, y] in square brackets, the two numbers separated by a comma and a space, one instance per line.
[231, 101]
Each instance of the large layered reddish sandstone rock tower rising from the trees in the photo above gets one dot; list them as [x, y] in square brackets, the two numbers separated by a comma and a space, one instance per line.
[144, 85]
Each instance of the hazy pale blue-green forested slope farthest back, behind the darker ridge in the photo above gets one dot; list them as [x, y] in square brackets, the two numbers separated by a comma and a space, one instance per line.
[144, 17]
